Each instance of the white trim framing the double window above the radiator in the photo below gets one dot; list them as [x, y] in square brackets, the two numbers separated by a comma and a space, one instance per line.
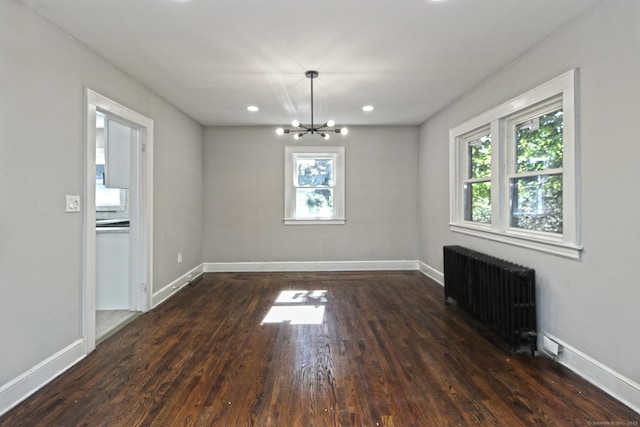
[565, 245]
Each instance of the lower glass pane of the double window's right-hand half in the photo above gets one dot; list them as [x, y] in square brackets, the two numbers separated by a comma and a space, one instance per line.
[536, 203]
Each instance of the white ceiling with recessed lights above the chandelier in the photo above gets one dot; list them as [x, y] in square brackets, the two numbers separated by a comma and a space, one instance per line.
[213, 58]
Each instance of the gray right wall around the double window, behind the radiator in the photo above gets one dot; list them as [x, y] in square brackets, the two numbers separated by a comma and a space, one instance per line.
[591, 305]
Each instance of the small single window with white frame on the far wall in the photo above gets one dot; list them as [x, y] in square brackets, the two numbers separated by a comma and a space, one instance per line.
[314, 185]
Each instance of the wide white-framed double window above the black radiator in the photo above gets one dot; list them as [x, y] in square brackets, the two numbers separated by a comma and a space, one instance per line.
[513, 173]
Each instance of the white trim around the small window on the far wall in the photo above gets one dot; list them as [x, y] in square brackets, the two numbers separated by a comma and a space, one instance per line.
[290, 154]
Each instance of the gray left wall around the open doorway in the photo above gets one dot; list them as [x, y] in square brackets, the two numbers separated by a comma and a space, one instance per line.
[42, 75]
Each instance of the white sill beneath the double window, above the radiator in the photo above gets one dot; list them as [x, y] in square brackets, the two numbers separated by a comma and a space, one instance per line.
[554, 247]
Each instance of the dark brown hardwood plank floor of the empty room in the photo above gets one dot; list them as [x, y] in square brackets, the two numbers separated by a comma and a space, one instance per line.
[389, 352]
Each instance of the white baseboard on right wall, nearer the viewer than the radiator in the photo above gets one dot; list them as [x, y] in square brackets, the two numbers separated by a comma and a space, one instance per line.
[617, 385]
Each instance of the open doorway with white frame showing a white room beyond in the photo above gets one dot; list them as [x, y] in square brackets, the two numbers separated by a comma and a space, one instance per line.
[118, 216]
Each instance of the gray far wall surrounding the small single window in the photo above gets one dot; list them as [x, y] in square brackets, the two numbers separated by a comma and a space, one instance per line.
[244, 205]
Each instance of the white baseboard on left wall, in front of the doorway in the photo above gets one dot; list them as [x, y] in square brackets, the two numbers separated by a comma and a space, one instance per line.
[35, 378]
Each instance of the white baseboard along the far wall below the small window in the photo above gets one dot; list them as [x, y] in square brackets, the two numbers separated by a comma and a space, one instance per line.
[238, 267]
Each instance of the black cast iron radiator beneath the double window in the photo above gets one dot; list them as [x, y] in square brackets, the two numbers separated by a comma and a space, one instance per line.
[499, 293]
